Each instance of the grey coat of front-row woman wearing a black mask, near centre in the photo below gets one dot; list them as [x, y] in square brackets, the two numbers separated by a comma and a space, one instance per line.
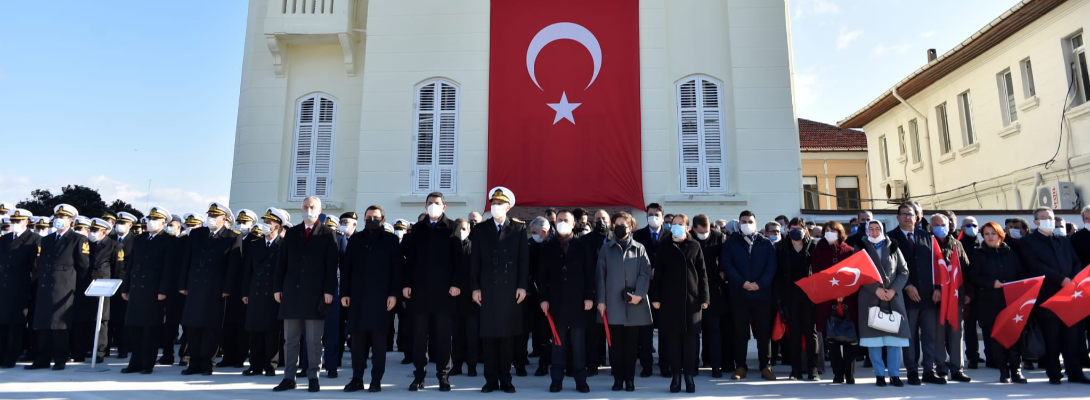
[621, 268]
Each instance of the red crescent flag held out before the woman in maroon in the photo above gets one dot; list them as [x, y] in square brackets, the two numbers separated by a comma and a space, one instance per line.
[842, 280]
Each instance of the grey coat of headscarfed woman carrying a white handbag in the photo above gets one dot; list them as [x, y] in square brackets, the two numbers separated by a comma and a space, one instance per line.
[895, 276]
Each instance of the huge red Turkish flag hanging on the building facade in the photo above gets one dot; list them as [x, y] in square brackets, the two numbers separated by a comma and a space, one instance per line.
[564, 102]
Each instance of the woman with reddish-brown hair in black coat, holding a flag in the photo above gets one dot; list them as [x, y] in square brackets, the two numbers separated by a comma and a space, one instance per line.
[995, 264]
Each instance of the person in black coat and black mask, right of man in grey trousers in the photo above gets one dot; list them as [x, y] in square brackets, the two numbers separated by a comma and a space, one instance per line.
[371, 281]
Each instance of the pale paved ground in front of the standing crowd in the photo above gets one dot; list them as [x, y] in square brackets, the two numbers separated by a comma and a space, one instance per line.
[167, 384]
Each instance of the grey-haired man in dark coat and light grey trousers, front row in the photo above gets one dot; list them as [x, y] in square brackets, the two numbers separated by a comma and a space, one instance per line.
[305, 286]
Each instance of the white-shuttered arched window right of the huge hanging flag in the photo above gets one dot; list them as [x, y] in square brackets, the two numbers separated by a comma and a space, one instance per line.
[701, 142]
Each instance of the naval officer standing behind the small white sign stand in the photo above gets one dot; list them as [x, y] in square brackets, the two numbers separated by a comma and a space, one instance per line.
[106, 262]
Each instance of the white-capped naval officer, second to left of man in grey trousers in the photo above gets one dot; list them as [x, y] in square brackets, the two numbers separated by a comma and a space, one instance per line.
[205, 280]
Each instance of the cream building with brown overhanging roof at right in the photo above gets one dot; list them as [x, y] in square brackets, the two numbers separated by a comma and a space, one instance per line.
[978, 128]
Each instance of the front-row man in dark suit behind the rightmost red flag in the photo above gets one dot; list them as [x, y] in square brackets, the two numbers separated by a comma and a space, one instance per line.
[1052, 256]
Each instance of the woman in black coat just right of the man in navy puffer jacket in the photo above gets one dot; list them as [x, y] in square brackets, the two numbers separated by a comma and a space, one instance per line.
[794, 258]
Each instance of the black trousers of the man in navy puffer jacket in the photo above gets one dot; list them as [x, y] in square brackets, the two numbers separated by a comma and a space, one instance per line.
[760, 314]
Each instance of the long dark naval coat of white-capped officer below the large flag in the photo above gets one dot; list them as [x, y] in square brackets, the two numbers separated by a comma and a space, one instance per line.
[501, 265]
